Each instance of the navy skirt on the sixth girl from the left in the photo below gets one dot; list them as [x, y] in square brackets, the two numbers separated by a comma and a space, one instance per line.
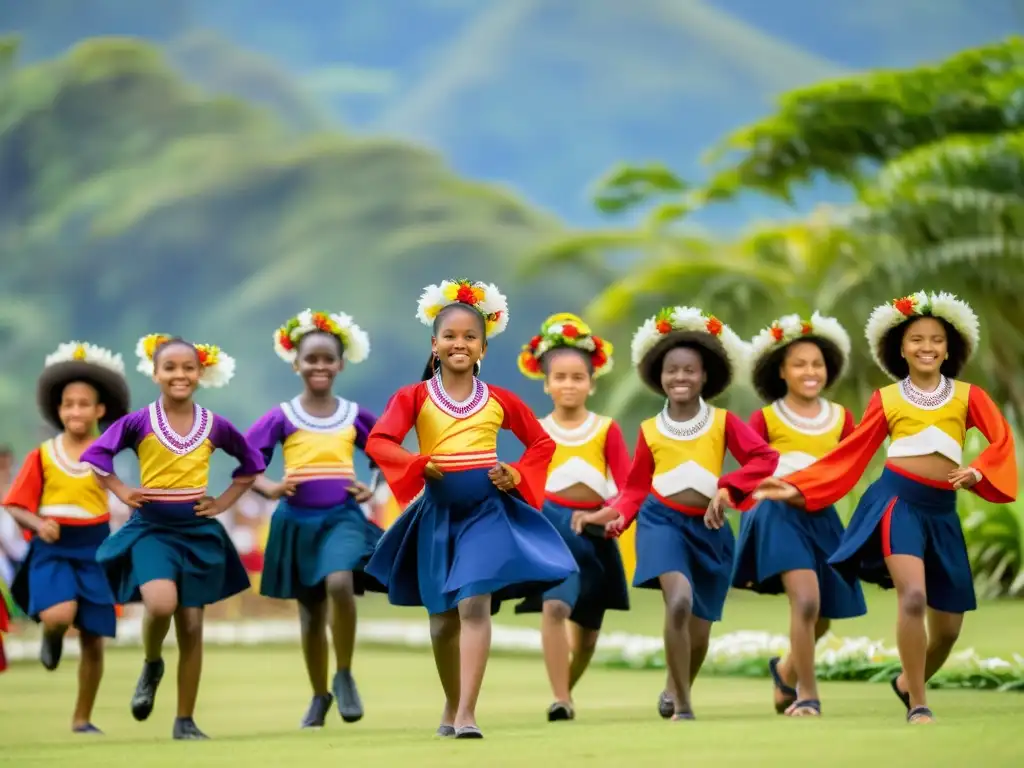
[671, 542]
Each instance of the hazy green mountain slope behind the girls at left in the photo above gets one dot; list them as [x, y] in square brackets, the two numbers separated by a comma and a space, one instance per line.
[136, 203]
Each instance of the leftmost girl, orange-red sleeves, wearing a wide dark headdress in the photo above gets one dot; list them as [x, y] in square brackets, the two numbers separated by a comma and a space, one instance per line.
[59, 502]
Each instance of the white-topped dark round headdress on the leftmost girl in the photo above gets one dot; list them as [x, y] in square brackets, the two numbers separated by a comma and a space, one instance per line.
[78, 361]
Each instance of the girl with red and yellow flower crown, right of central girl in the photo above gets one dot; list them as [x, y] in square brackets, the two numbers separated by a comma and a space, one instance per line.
[590, 465]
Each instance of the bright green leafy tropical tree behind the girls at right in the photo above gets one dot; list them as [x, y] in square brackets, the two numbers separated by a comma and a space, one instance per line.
[934, 156]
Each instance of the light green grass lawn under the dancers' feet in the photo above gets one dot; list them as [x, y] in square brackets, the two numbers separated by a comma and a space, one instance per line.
[252, 700]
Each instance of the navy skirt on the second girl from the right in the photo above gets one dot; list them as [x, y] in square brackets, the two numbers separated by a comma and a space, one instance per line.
[776, 538]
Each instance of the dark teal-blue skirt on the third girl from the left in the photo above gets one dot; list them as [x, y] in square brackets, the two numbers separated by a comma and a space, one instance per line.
[307, 545]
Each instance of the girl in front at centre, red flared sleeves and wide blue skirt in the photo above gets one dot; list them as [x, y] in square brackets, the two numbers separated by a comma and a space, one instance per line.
[472, 535]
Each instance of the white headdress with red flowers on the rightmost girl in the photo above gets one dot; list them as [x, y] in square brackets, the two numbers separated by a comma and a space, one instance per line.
[945, 307]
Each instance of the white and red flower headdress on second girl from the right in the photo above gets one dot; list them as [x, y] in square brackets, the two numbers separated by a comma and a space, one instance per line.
[831, 337]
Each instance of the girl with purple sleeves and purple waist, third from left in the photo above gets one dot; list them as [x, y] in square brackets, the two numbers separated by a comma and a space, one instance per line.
[320, 538]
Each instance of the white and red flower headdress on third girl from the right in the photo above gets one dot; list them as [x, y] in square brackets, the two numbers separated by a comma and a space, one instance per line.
[690, 324]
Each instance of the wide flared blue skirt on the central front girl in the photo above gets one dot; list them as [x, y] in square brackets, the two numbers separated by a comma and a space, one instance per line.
[464, 538]
